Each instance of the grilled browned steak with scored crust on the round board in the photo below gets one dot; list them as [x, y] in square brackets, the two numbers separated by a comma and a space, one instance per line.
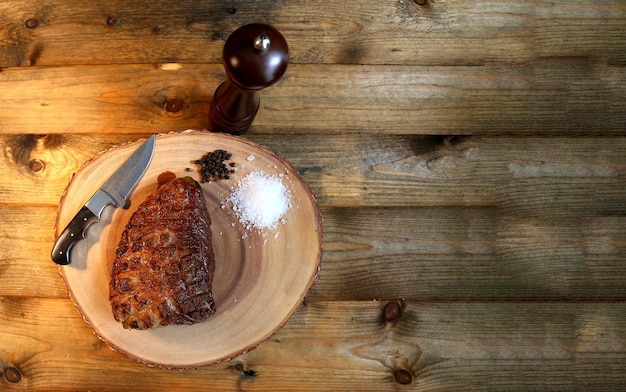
[164, 262]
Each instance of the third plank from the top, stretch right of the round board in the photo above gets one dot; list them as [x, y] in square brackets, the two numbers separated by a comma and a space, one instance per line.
[522, 176]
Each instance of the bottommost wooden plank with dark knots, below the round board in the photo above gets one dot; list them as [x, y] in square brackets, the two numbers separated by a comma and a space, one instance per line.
[483, 346]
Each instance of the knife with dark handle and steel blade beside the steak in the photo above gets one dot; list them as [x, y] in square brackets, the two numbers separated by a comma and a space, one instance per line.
[114, 191]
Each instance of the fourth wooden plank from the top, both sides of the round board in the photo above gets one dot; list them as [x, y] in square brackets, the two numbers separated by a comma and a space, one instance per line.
[411, 253]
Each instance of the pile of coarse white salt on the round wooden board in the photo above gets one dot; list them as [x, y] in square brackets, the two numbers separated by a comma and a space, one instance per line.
[260, 200]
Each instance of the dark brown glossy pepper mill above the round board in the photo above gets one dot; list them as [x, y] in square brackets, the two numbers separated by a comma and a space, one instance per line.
[255, 56]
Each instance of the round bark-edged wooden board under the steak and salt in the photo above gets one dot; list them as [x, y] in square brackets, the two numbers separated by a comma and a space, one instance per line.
[261, 277]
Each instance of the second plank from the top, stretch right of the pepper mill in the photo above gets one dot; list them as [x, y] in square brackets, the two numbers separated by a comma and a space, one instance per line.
[545, 96]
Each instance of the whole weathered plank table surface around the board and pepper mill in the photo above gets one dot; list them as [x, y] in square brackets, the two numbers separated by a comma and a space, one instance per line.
[469, 159]
